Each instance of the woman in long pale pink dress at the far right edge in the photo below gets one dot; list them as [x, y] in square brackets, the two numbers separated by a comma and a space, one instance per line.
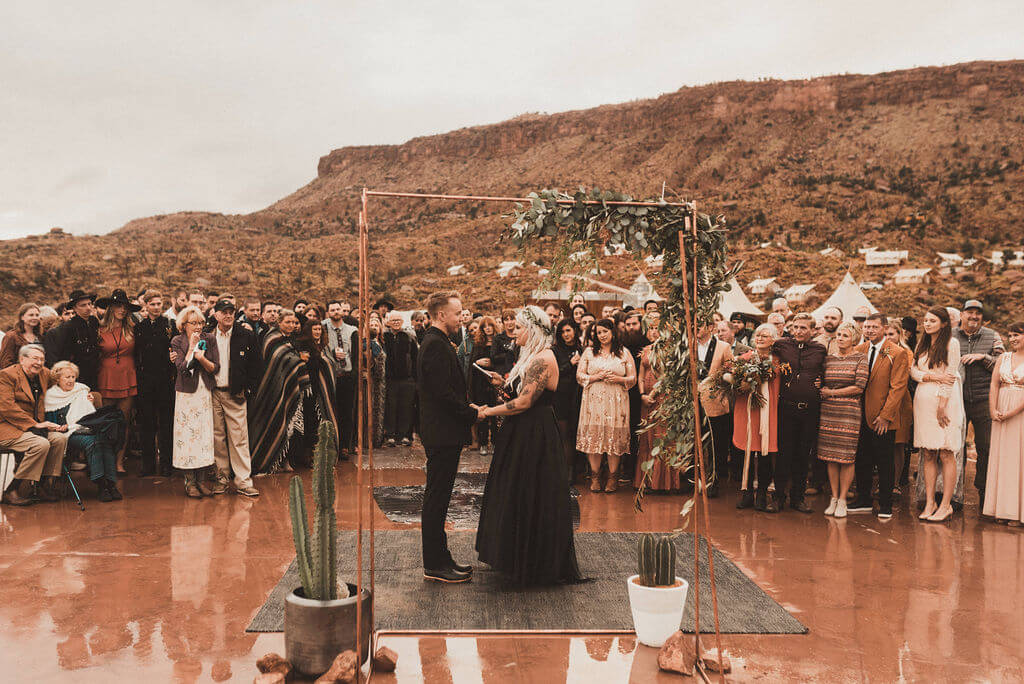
[1005, 494]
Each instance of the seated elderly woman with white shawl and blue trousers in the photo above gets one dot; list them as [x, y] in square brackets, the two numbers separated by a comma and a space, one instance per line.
[68, 403]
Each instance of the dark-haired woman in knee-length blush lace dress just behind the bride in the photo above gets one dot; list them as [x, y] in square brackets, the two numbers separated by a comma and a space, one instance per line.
[607, 372]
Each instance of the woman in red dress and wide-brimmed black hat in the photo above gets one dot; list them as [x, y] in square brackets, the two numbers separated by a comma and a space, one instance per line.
[117, 382]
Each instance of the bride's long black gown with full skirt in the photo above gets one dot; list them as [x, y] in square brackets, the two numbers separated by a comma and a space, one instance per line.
[526, 528]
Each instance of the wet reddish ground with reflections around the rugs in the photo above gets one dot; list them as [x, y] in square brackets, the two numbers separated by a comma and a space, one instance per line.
[160, 588]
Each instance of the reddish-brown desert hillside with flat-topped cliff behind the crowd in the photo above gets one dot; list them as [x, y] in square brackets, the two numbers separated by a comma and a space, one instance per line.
[924, 160]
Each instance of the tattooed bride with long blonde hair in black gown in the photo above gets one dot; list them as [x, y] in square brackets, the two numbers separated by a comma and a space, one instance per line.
[526, 528]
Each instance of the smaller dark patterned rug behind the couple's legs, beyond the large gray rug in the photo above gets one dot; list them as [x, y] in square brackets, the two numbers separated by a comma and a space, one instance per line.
[405, 504]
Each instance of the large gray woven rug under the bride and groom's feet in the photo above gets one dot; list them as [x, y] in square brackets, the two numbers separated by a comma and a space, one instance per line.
[406, 603]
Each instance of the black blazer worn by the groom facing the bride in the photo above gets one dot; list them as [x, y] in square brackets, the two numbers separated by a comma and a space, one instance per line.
[445, 413]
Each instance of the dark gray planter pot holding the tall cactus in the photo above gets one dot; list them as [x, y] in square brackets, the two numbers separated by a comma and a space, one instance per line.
[317, 631]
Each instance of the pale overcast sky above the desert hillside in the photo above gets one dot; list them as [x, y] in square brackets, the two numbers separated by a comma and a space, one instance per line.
[112, 111]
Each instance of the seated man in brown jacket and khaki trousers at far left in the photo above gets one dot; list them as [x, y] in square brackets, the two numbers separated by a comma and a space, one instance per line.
[23, 429]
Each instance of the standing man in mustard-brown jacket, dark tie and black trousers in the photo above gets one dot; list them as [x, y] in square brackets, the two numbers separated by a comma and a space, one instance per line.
[888, 373]
